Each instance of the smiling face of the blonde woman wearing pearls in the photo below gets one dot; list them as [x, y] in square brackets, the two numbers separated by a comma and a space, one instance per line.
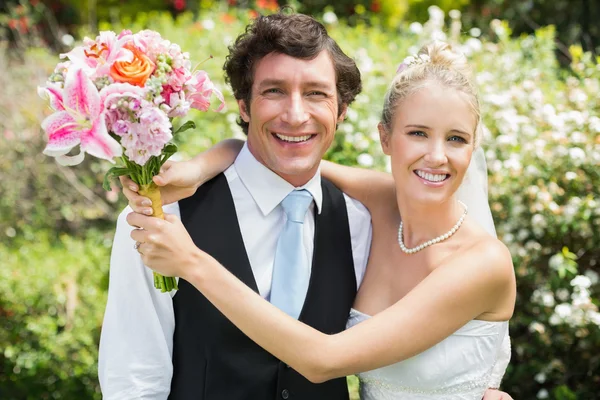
[430, 143]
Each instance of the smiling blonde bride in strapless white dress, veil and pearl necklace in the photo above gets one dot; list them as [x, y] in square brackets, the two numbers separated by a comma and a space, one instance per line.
[430, 320]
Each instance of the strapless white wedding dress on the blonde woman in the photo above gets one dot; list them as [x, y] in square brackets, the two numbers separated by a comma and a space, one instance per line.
[461, 367]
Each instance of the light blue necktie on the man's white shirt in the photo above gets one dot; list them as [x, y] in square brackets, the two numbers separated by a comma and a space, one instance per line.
[290, 270]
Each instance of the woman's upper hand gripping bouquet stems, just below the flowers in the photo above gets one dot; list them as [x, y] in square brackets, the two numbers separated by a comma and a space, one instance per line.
[176, 180]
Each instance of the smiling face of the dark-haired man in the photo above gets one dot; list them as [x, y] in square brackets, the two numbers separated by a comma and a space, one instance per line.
[293, 114]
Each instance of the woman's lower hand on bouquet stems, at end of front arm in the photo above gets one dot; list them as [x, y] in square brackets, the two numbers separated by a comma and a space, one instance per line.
[164, 245]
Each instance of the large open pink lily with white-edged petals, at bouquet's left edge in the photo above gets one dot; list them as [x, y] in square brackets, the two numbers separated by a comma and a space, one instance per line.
[81, 122]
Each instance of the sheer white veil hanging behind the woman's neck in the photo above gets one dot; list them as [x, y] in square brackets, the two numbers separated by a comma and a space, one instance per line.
[473, 192]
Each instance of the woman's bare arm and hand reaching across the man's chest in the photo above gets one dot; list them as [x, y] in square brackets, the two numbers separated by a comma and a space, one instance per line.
[448, 298]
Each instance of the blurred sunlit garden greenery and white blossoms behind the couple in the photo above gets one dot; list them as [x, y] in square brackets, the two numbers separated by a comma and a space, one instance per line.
[538, 74]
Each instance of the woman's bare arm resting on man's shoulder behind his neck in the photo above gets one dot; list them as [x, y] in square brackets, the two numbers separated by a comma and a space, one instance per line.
[375, 189]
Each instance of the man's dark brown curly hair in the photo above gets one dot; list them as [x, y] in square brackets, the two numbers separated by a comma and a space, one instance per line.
[295, 35]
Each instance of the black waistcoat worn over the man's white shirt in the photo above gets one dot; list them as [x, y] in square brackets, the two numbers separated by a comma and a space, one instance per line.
[214, 360]
